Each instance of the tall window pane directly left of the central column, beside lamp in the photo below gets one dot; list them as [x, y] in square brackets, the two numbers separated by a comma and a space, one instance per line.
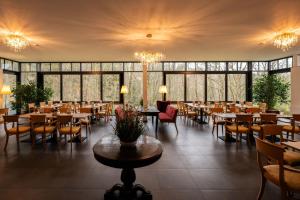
[134, 82]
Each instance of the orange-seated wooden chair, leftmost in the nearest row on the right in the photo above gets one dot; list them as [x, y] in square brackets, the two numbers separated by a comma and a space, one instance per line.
[242, 125]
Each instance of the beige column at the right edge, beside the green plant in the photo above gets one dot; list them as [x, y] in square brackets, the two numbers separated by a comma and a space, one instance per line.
[295, 85]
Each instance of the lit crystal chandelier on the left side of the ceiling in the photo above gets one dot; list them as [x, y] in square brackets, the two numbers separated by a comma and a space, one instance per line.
[16, 41]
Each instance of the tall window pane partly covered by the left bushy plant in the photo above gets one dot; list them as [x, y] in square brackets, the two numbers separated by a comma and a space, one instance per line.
[53, 82]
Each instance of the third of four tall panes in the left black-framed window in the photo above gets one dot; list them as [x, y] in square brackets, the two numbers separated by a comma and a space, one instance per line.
[91, 87]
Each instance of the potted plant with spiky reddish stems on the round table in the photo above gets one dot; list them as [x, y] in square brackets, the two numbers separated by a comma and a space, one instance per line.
[128, 127]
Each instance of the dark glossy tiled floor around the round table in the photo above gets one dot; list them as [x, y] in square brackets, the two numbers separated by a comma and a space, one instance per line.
[195, 165]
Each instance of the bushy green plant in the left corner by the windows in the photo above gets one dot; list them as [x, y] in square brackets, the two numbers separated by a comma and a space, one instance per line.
[29, 93]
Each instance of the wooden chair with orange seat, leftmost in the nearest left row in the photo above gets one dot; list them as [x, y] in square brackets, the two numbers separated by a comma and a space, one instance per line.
[15, 129]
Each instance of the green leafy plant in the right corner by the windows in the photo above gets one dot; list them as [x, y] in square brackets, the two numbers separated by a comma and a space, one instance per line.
[271, 89]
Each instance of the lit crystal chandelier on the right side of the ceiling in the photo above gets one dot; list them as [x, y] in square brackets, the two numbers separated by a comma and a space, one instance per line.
[285, 41]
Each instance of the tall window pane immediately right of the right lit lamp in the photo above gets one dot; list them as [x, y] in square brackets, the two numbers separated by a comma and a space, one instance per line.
[175, 87]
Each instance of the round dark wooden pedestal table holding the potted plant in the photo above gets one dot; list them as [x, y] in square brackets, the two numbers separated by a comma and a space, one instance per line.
[109, 152]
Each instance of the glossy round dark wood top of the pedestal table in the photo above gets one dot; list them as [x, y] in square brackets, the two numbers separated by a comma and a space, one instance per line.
[108, 151]
